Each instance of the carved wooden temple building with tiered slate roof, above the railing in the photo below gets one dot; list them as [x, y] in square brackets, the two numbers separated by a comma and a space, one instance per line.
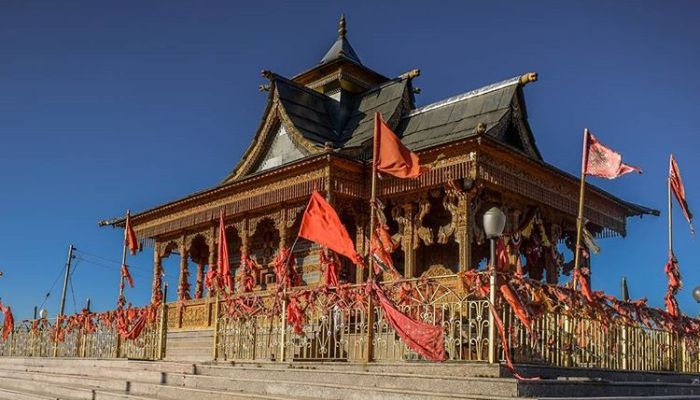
[316, 135]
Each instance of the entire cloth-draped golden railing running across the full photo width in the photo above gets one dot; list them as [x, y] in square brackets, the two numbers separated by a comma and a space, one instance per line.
[346, 324]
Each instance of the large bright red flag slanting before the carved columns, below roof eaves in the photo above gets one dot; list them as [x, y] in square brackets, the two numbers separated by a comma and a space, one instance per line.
[322, 225]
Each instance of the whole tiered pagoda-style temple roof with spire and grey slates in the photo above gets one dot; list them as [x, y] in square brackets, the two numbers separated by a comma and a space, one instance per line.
[331, 107]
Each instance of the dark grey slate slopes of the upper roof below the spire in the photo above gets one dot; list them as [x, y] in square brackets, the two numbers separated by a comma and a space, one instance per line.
[316, 116]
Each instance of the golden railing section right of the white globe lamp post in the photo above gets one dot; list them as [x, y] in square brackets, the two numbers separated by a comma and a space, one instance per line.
[567, 341]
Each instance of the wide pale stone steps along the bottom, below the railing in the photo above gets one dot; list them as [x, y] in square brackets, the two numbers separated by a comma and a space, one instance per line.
[90, 379]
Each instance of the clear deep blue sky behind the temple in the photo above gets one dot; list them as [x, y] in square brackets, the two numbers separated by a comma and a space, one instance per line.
[109, 105]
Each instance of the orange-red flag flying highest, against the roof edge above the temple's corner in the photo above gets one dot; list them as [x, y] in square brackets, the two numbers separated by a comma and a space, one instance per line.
[391, 156]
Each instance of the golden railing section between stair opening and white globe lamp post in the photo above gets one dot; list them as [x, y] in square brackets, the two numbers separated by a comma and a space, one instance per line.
[338, 329]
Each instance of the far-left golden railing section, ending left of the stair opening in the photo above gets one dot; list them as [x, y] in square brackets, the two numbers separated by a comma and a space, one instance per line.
[39, 338]
